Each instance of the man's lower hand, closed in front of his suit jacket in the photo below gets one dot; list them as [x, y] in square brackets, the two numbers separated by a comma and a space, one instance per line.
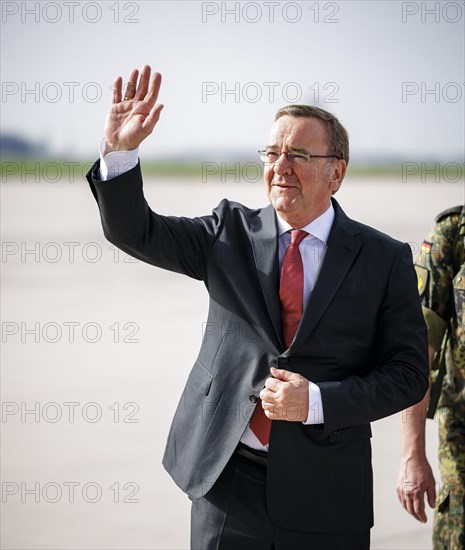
[285, 396]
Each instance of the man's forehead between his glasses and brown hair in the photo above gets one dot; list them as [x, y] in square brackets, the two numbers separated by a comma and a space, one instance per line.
[299, 132]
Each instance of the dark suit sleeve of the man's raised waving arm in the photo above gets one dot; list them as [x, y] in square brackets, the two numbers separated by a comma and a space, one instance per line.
[174, 243]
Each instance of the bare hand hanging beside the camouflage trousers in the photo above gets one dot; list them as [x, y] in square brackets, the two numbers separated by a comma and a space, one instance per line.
[415, 481]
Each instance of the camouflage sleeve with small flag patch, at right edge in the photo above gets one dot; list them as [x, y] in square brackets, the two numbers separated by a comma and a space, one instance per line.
[435, 272]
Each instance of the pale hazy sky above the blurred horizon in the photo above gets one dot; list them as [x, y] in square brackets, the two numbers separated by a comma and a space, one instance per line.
[393, 72]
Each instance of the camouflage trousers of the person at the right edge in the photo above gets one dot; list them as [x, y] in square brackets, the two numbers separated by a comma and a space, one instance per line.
[449, 516]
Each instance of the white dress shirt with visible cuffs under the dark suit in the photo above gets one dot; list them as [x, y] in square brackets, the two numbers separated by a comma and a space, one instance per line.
[312, 249]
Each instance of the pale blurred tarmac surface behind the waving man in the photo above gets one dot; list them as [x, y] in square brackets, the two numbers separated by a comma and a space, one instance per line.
[95, 353]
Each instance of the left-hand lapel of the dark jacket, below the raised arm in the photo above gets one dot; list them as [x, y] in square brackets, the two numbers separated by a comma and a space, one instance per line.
[264, 238]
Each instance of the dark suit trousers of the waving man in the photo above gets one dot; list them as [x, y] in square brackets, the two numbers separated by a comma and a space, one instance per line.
[233, 515]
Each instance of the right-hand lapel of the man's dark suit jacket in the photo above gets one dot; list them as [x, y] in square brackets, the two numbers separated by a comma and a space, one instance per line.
[341, 251]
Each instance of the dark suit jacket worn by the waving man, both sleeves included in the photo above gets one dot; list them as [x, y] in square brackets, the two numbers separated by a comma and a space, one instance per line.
[362, 339]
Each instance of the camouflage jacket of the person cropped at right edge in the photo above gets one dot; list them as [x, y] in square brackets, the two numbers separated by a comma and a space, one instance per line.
[440, 268]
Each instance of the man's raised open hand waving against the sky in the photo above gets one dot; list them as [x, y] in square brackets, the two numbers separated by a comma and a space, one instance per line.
[132, 118]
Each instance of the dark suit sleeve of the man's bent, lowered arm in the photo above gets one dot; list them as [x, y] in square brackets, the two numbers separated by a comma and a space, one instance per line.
[399, 376]
